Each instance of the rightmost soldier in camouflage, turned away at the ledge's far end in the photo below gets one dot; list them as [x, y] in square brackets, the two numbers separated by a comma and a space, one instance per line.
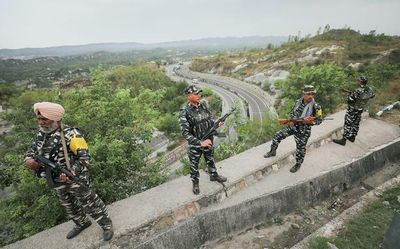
[357, 101]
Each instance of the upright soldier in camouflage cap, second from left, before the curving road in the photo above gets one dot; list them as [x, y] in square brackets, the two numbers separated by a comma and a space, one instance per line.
[195, 120]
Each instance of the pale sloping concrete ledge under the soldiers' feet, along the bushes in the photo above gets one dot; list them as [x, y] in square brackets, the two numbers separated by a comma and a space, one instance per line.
[155, 210]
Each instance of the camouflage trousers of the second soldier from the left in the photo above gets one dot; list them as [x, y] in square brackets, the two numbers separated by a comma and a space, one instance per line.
[194, 154]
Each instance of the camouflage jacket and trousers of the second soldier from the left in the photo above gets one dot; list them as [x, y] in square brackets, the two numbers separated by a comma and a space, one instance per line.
[194, 123]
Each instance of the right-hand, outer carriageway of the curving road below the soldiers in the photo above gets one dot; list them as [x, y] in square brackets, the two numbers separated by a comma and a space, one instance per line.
[260, 103]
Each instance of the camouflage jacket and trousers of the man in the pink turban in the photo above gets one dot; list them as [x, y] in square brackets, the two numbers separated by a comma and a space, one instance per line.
[76, 200]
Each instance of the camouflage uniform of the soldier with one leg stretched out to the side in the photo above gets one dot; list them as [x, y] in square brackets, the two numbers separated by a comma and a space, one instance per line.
[301, 132]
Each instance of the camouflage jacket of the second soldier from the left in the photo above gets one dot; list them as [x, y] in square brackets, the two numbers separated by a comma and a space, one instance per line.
[195, 122]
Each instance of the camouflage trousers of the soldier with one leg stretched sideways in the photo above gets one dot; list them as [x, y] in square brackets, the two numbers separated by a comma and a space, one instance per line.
[301, 135]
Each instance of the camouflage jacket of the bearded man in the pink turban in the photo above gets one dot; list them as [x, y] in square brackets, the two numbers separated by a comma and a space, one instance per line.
[49, 146]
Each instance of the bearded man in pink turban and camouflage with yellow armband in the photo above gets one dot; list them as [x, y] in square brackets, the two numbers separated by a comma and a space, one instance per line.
[76, 200]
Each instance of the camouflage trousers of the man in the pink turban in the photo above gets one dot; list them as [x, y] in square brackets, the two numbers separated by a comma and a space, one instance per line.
[78, 202]
